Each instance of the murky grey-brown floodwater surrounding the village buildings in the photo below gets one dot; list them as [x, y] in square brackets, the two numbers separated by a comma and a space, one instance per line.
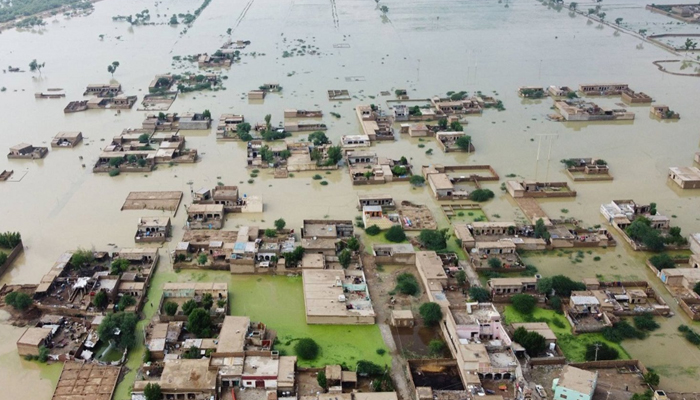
[428, 48]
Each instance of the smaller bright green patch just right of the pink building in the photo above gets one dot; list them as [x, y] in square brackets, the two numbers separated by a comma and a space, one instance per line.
[573, 347]
